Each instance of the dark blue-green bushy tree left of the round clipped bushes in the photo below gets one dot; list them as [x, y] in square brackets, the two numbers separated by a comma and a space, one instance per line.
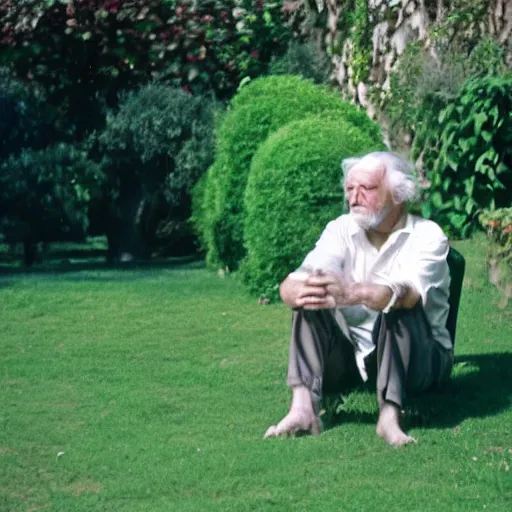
[155, 148]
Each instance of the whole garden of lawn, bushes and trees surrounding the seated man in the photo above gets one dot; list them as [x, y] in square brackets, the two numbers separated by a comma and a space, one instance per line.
[164, 164]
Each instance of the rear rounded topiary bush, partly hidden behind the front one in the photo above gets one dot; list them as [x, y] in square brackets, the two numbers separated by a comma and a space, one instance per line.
[259, 109]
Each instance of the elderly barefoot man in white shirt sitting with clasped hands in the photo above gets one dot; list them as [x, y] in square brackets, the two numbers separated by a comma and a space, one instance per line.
[372, 293]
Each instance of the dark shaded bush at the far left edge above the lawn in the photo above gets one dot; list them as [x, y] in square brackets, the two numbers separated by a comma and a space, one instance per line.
[44, 194]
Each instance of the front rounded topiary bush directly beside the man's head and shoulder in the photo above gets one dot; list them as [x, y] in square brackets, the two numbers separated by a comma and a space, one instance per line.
[293, 190]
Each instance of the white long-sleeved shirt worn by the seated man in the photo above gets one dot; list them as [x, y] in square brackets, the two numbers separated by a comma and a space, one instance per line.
[415, 254]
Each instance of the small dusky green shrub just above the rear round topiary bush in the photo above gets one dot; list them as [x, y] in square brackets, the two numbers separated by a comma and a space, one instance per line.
[302, 59]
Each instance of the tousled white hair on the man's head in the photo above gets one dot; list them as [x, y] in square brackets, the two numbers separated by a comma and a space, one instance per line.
[400, 176]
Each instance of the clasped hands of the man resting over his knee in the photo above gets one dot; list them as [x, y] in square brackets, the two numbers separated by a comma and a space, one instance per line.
[324, 291]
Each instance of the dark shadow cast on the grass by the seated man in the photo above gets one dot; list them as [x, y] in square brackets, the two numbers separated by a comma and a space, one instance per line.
[480, 386]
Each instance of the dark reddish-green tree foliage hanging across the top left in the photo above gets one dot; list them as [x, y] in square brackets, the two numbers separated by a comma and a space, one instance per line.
[83, 52]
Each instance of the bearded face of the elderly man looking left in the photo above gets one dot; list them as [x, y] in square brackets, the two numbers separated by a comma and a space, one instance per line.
[367, 193]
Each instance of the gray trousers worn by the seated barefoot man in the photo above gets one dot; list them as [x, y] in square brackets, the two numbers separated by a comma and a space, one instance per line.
[407, 358]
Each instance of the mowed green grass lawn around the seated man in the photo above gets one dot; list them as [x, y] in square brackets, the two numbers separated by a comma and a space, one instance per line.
[150, 390]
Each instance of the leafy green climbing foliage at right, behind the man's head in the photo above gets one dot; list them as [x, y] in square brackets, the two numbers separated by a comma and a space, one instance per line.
[429, 99]
